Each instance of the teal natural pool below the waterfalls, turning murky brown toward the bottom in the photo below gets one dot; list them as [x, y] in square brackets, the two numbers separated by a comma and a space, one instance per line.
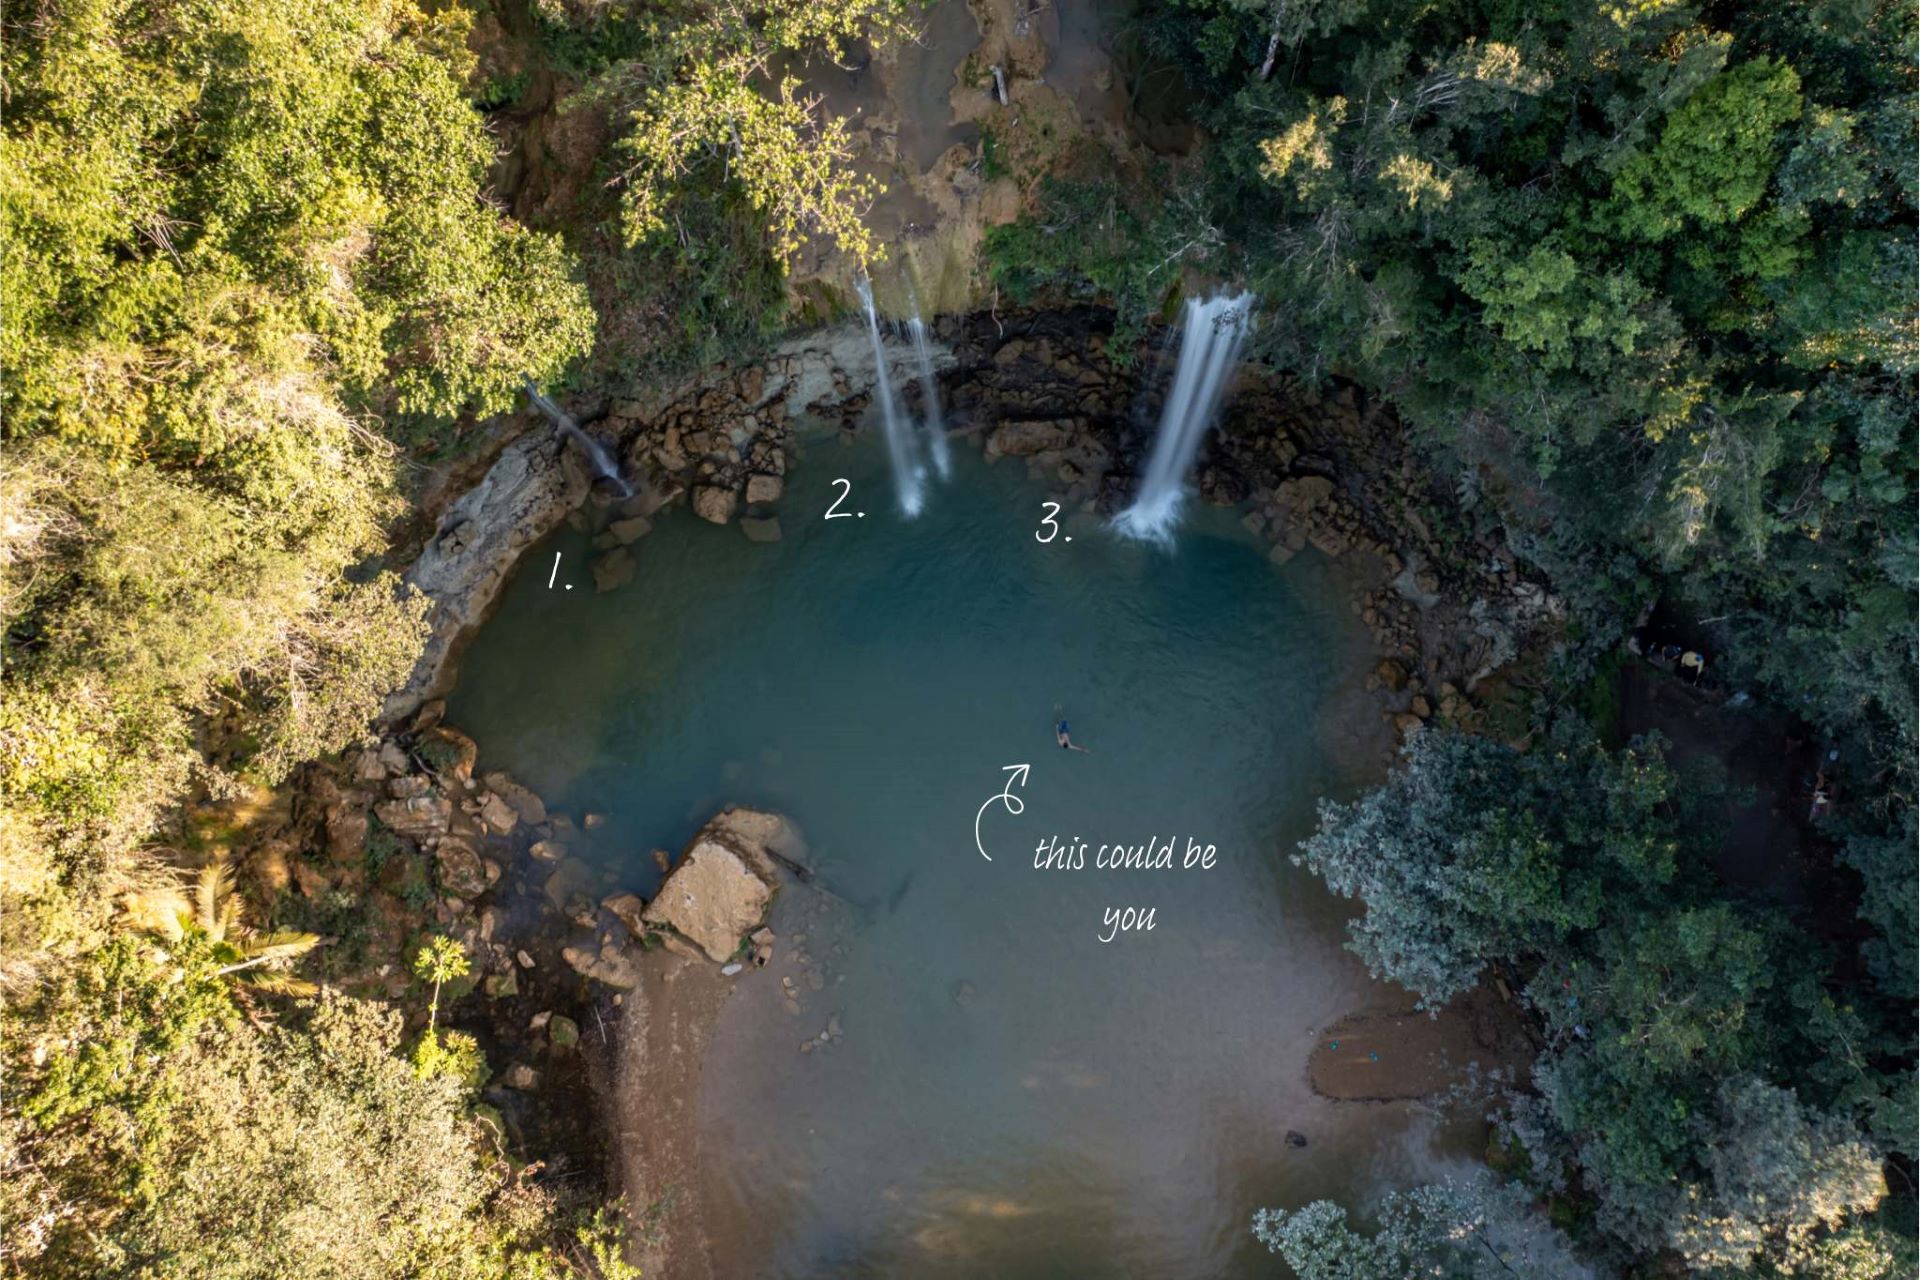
[1009, 1095]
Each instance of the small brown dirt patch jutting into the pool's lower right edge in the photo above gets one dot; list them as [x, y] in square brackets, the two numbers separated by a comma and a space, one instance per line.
[1406, 1055]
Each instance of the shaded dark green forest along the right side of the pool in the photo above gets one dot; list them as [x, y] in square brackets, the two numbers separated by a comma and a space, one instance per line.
[1644, 281]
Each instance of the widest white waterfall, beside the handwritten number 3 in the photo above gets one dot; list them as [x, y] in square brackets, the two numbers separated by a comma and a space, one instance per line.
[1211, 346]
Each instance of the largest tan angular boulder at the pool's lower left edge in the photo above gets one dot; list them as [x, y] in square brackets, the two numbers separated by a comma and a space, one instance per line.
[723, 882]
